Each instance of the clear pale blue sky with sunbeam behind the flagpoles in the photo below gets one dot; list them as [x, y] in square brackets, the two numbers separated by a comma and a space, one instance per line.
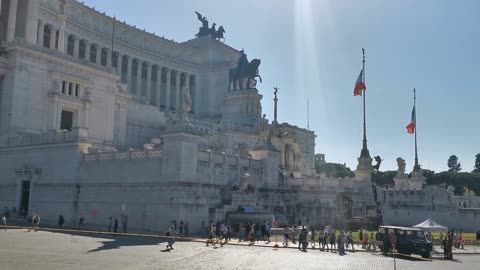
[312, 50]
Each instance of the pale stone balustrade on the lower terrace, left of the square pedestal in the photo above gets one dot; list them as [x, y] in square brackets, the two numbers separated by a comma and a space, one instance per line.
[128, 155]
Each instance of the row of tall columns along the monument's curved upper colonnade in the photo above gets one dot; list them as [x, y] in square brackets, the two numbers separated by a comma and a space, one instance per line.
[162, 85]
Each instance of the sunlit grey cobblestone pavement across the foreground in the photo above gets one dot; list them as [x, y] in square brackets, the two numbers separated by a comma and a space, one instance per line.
[20, 249]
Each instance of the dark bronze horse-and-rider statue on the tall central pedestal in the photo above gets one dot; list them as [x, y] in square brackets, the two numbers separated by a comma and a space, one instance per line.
[244, 71]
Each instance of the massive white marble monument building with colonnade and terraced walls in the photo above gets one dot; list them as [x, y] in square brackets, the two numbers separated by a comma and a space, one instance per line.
[90, 129]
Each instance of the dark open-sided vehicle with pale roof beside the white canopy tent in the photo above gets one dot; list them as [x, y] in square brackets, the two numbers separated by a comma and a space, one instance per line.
[409, 240]
